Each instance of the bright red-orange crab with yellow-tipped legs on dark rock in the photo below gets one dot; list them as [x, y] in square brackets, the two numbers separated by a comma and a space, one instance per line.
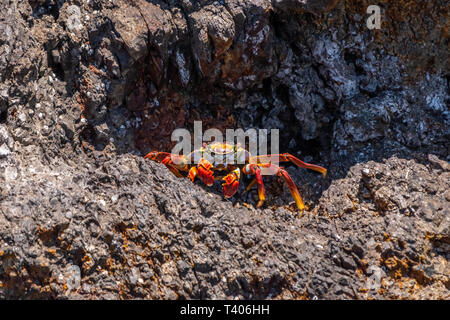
[227, 161]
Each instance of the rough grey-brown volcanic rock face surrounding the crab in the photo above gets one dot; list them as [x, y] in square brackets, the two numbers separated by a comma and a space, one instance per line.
[86, 88]
